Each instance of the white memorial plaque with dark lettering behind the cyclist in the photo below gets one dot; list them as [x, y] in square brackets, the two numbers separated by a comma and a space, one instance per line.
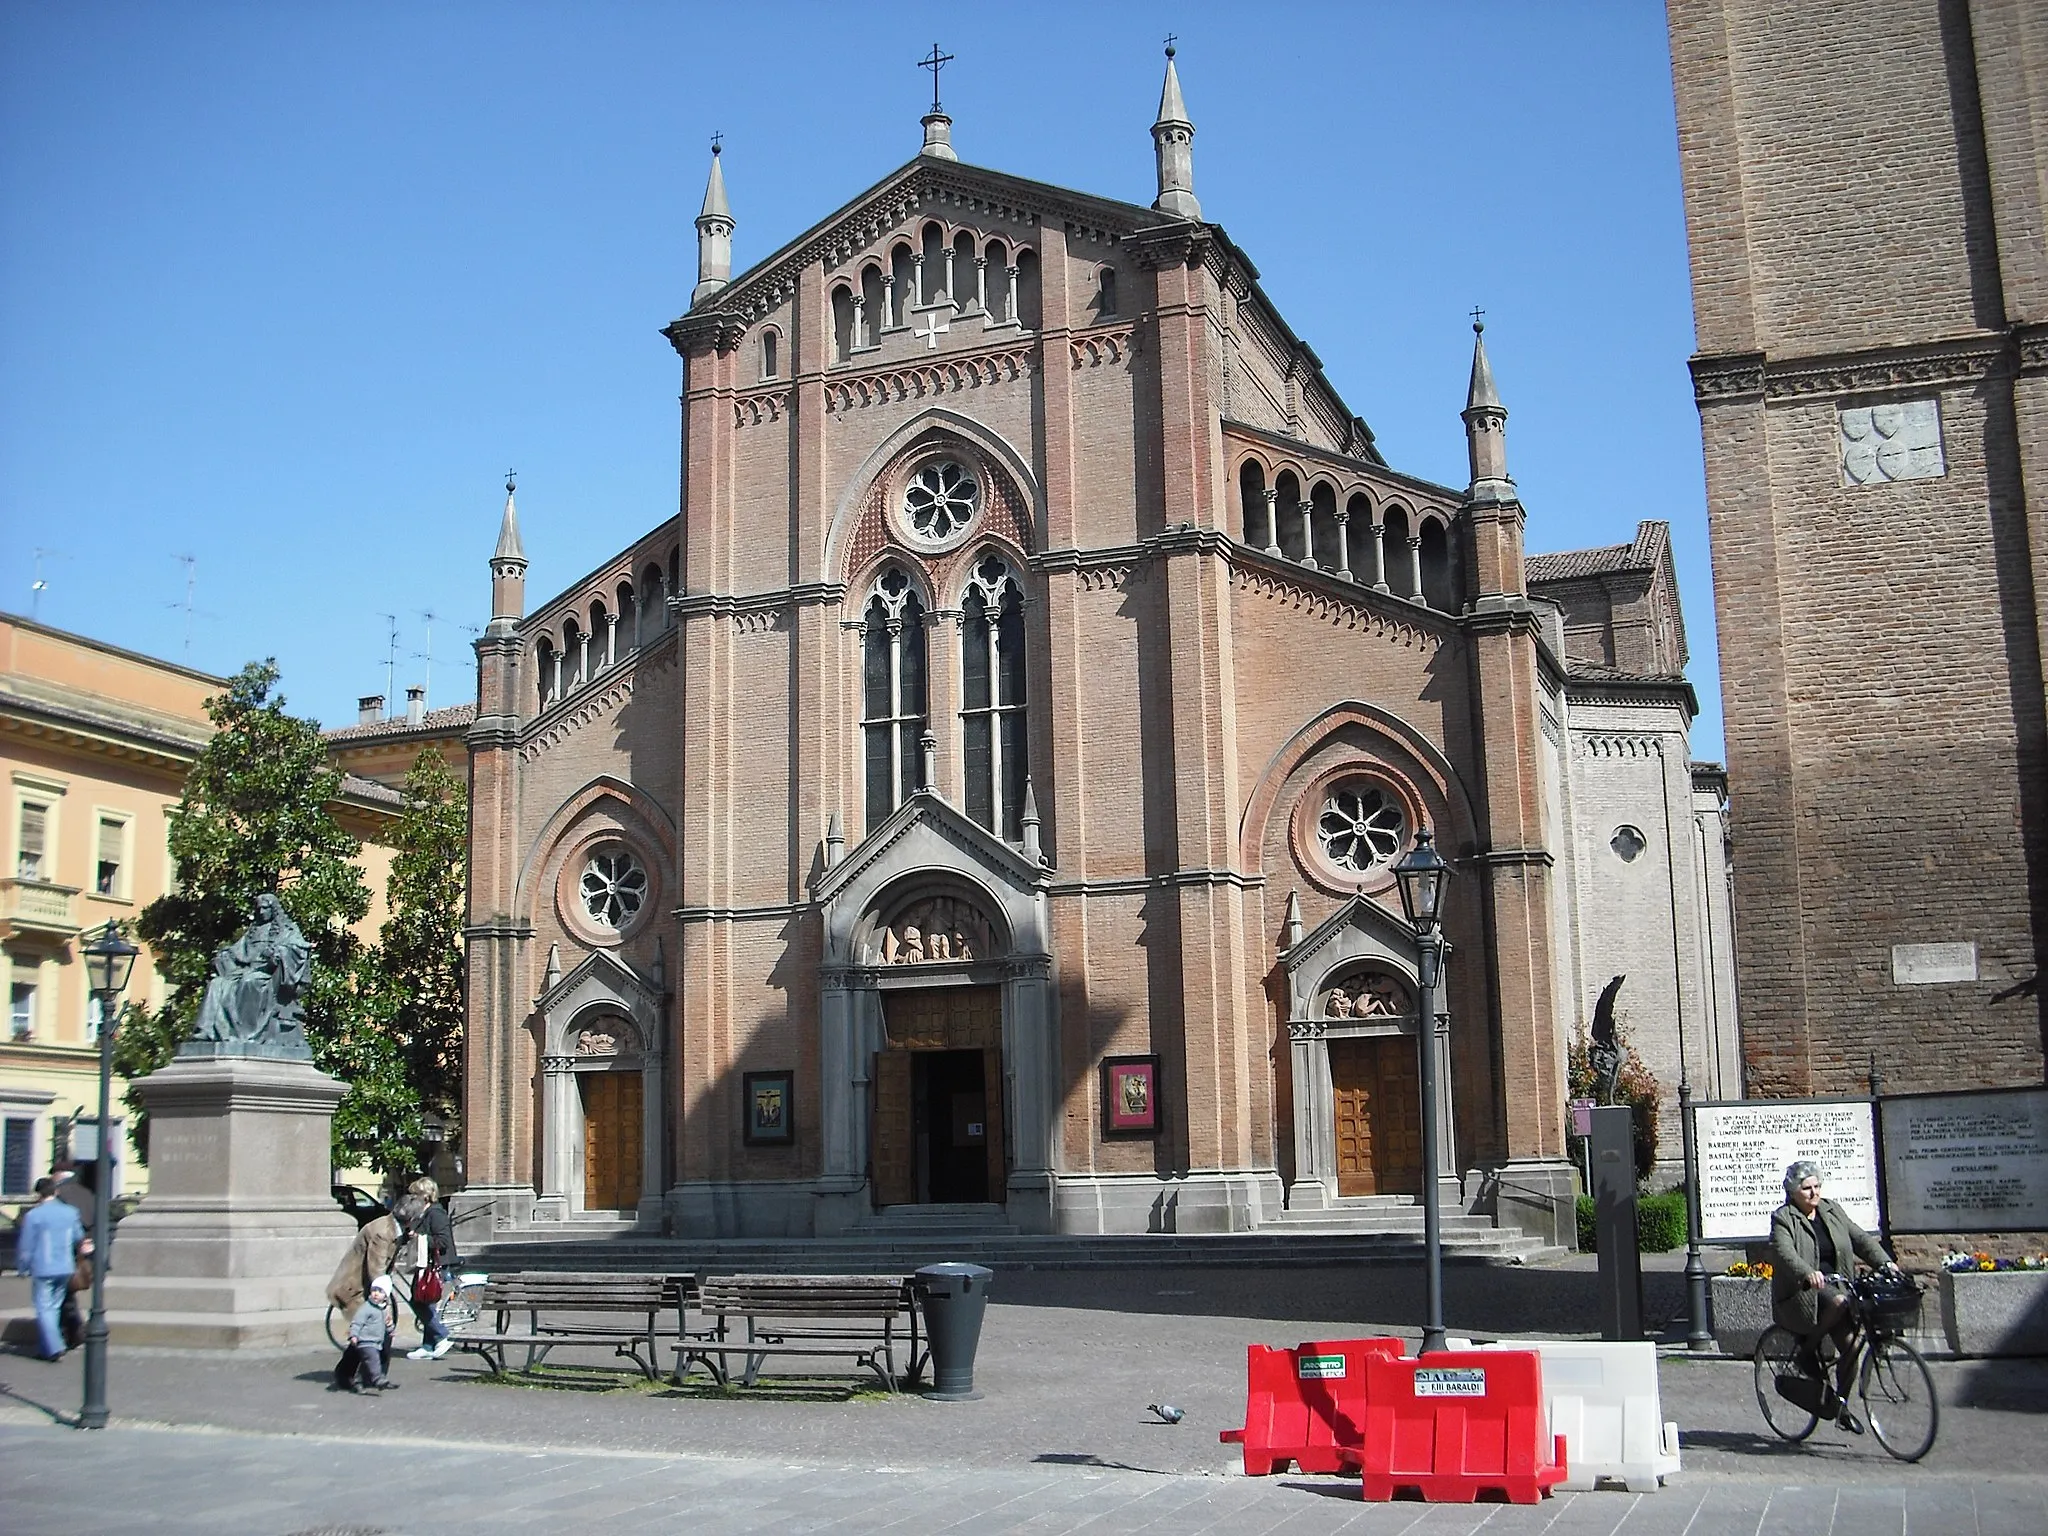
[1746, 1150]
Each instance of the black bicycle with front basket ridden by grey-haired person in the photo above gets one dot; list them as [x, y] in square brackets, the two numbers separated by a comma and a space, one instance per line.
[1891, 1379]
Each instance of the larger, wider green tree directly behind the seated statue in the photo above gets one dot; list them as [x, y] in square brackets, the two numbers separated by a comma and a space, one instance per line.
[257, 818]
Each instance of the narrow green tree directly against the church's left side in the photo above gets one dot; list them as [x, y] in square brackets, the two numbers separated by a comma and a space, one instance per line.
[421, 955]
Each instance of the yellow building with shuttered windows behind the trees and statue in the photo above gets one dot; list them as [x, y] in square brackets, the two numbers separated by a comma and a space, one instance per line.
[95, 744]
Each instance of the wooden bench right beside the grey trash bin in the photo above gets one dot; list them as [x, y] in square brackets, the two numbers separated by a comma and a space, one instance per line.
[820, 1316]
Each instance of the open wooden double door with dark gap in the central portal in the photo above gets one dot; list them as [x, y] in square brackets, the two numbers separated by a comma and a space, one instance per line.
[937, 1125]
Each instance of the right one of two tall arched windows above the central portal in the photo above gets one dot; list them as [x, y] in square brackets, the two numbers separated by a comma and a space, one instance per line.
[992, 697]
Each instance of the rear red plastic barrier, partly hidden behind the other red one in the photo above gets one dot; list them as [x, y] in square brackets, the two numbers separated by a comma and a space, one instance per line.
[1306, 1406]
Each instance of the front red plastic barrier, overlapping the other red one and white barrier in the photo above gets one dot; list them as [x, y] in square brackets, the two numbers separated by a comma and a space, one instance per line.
[1455, 1424]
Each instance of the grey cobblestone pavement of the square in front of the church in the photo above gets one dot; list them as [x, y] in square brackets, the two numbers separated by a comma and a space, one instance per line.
[1060, 1441]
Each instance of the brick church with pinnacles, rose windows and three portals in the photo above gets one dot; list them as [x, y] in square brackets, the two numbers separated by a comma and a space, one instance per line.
[980, 798]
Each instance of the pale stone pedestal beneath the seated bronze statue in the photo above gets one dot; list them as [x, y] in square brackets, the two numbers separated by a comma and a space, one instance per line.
[239, 1236]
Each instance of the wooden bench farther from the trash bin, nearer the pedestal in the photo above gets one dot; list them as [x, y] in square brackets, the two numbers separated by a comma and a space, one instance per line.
[577, 1310]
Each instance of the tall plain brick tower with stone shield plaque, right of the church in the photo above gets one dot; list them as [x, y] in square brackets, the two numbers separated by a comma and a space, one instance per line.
[1867, 202]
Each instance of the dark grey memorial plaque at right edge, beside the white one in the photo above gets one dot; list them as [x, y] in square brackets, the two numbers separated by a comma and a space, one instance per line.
[1967, 1162]
